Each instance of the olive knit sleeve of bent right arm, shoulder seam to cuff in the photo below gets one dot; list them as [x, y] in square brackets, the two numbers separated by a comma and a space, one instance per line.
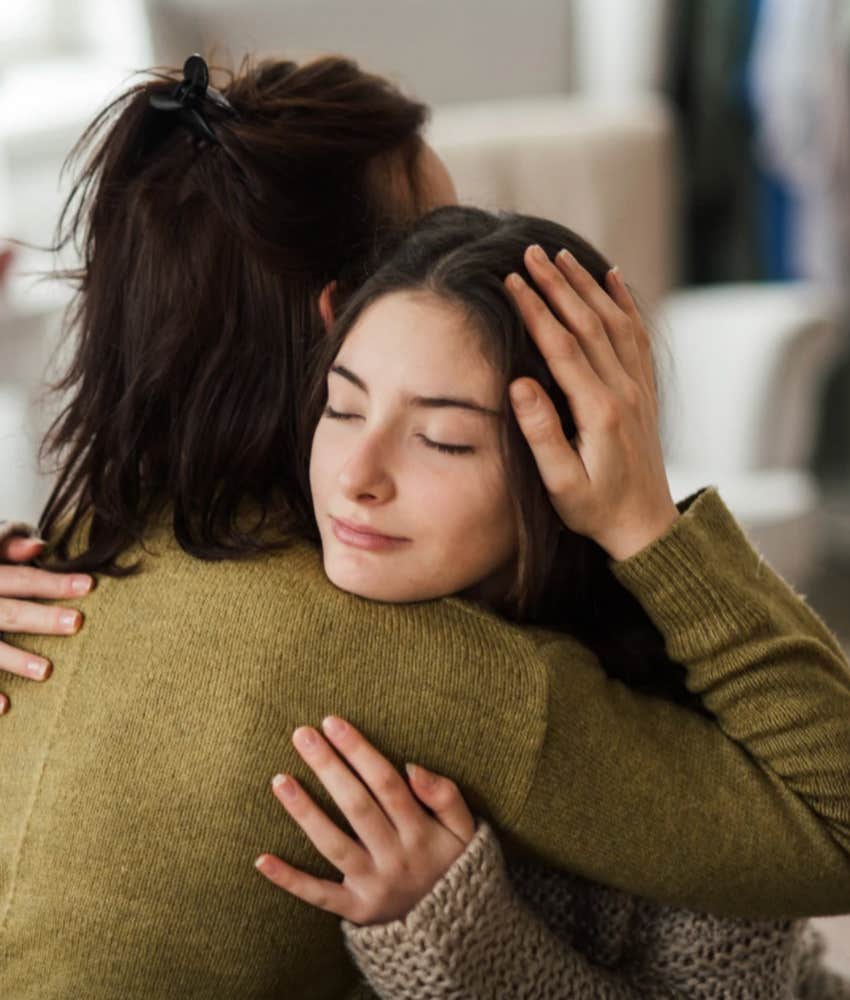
[748, 815]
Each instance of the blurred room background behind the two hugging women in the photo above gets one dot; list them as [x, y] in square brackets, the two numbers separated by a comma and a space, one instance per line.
[703, 145]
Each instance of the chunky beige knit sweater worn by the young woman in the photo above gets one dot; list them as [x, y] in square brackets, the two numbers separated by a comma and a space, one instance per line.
[487, 932]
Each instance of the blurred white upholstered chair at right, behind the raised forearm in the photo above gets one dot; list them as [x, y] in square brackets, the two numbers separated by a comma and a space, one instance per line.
[740, 403]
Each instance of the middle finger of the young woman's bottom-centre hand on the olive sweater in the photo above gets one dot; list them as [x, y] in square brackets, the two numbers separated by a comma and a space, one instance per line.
[366, 817]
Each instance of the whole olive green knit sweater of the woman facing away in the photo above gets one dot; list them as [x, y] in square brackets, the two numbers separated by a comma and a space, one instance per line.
[135, 783]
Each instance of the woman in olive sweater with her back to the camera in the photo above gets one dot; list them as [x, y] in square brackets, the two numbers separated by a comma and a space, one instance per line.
[222, 258]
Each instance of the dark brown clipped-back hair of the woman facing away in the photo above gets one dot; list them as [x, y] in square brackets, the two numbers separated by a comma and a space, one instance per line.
[196, 308]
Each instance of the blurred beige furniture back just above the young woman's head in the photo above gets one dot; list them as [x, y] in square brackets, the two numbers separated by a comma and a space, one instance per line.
[605, 170]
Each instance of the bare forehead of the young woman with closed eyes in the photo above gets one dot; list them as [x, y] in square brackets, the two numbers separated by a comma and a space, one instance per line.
[418, 342]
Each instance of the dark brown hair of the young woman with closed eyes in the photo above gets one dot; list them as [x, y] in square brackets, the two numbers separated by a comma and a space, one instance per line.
[562, 579]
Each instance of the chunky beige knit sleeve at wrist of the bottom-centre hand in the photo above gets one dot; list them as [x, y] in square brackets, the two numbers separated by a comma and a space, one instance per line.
[472, 938]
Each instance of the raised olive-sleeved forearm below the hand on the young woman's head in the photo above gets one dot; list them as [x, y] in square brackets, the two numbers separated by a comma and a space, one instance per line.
[763, 662]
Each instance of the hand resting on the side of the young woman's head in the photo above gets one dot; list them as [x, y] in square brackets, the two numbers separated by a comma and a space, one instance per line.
[610, 485]
